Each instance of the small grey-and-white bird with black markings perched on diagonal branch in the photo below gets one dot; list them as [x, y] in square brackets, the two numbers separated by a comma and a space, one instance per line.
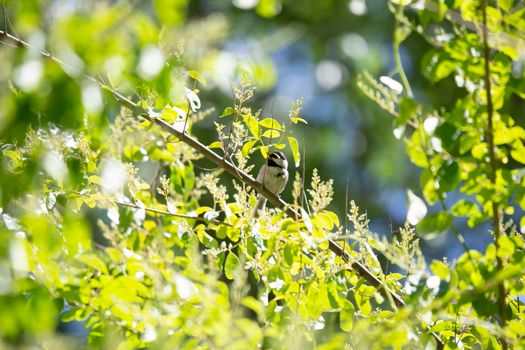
[274, 176]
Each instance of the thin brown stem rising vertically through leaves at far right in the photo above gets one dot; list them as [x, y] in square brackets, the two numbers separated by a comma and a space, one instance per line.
[496, 210]
